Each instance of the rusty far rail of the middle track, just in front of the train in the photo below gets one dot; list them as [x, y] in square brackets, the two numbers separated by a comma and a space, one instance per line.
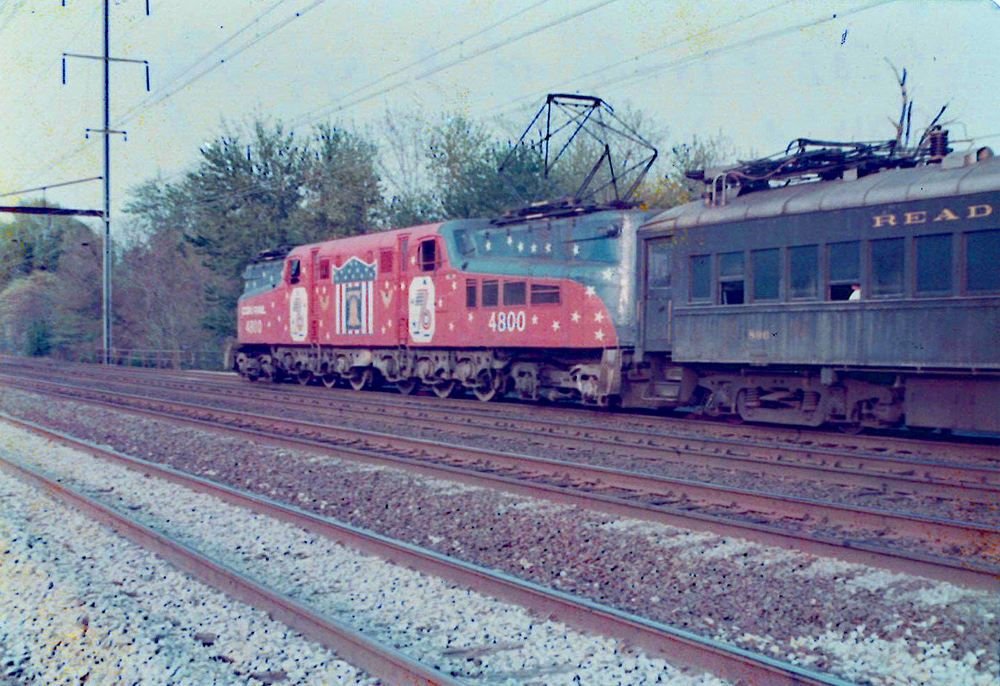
[940, 480]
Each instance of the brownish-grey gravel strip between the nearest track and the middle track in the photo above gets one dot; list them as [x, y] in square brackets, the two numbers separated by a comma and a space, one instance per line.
[844, 618]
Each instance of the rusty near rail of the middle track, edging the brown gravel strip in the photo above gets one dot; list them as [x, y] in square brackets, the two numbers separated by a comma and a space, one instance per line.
[966, 572]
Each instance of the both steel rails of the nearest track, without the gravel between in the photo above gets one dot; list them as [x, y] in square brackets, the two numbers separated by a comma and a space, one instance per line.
[384, 661]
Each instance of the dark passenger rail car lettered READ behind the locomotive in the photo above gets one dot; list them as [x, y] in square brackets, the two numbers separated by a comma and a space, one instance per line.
[863, 302]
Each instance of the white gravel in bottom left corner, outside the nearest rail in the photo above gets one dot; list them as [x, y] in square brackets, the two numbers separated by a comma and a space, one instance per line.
[79, 604]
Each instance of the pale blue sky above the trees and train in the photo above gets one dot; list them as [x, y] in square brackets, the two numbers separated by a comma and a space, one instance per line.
[758, 72]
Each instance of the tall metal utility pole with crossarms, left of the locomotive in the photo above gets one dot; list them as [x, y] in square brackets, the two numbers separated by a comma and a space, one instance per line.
[107, 264]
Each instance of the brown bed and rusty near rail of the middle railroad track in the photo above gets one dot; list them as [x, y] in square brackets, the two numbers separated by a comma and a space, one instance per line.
[850, 533]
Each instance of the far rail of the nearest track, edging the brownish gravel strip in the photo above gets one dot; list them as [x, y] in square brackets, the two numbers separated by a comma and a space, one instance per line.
[674, 644]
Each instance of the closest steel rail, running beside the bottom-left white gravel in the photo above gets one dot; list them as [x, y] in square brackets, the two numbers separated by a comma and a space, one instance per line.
[354, 647]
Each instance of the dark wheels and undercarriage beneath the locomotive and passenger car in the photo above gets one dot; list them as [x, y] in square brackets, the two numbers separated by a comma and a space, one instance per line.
[849, 399]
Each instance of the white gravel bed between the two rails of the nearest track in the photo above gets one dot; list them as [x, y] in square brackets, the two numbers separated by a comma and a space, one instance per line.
[454, 630]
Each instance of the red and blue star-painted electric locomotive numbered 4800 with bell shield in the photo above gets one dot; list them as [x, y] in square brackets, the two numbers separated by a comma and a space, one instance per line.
[539, 303]
